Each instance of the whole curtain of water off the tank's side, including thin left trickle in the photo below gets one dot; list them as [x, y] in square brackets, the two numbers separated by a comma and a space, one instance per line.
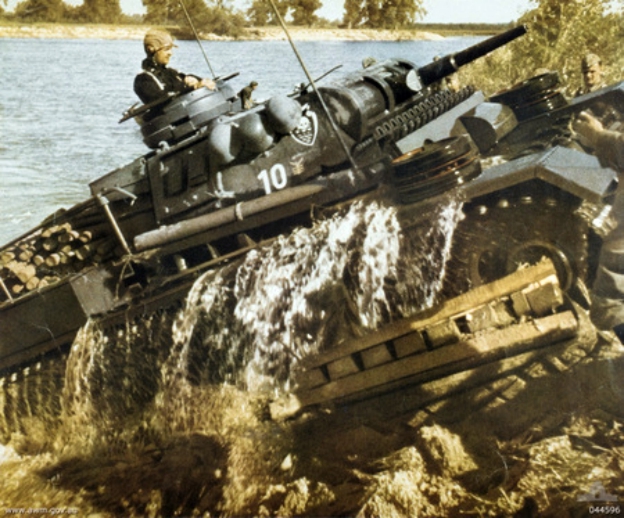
[251, 322]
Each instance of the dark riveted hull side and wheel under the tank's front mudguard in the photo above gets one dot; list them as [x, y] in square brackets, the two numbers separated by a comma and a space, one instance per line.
[495, 239]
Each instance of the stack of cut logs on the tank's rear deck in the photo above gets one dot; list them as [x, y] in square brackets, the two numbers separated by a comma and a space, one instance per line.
[49, 255]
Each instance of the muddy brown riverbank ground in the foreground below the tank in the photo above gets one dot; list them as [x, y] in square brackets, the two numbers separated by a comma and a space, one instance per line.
[540, 441]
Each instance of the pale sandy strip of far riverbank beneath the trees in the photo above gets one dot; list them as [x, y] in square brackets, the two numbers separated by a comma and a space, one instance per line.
[136, 32]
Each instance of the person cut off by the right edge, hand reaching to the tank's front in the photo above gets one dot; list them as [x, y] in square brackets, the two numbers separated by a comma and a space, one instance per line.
[608, 290]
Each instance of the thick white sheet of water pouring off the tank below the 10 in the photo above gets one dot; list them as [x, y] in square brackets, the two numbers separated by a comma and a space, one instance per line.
[251, 323]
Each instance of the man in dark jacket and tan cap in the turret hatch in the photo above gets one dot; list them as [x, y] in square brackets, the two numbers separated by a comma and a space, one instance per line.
[156, 79]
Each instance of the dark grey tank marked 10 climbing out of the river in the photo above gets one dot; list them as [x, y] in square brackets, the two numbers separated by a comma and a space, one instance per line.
[217, 181]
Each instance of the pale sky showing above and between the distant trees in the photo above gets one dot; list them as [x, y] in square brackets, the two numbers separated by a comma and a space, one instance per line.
[449, 11]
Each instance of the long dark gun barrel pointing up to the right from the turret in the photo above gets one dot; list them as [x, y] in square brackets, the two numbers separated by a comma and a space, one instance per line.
[450, 63]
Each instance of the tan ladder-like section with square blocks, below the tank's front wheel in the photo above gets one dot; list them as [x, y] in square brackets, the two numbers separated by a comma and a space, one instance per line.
[508, 318]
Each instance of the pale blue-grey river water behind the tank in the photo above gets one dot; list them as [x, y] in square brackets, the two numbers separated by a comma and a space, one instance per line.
[62, 99]
